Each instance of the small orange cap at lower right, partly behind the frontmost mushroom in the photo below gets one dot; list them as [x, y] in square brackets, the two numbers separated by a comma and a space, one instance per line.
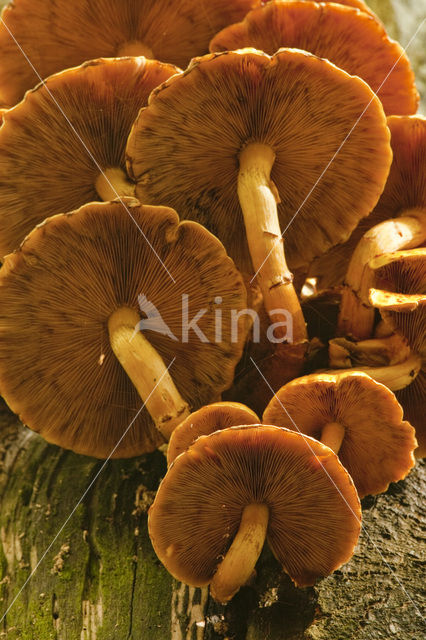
[378, 445]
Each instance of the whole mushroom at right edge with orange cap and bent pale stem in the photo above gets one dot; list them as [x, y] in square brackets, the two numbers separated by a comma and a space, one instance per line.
[396, 223]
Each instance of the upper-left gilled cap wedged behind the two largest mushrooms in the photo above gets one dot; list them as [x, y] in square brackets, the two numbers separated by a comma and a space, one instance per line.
[54, 143]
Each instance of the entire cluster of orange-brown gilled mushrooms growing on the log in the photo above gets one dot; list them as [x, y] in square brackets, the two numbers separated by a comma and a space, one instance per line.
[174, 233]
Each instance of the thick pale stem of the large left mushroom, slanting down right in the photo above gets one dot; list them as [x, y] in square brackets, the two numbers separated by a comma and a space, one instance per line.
[147, 371]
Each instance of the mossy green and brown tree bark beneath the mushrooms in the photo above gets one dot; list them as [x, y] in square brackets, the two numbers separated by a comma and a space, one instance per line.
[80, 527]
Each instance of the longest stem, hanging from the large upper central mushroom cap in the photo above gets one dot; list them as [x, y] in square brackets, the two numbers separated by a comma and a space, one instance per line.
[258, 198]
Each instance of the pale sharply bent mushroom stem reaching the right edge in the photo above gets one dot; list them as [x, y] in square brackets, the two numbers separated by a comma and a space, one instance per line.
[356, 315]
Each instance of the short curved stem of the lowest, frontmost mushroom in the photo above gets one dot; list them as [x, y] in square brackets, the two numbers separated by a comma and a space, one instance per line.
[240, 560]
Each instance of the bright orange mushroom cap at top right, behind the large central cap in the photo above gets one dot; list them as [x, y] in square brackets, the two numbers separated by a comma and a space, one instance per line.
[351, 39]
